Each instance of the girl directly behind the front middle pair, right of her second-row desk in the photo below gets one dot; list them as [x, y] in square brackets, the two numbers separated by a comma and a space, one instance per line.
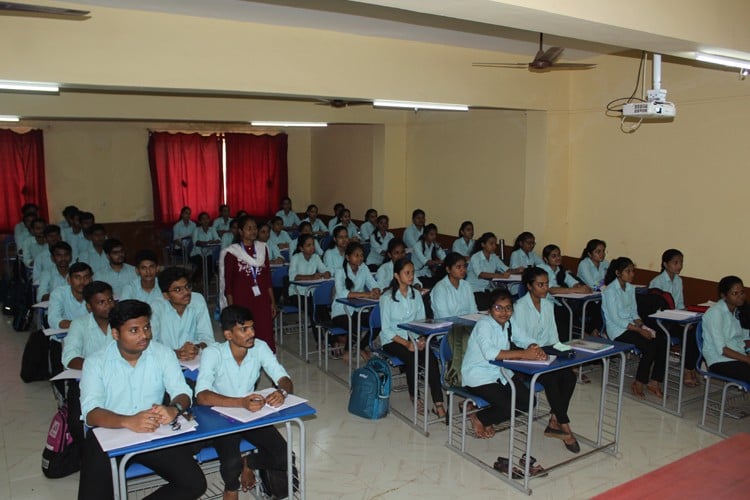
[452, 296]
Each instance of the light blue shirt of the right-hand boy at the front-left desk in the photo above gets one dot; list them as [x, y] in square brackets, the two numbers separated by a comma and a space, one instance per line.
[221, 374]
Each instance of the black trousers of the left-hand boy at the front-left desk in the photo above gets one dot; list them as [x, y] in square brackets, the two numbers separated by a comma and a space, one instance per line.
[176, 465]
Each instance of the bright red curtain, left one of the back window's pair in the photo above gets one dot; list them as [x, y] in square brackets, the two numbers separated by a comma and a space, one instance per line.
[185, 171]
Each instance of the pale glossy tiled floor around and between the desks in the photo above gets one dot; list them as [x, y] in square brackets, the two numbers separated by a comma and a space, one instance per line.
[351, 458]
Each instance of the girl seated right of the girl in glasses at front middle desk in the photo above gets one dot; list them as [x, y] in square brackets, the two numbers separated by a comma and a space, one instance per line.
[533, 325]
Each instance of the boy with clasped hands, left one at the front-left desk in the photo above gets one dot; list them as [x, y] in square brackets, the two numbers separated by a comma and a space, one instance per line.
[123, 386]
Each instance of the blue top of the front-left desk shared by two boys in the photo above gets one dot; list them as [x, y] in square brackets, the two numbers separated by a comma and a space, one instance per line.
[212, 424]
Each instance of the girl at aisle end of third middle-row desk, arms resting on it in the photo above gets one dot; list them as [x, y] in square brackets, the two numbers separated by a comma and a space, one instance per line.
[354, 281]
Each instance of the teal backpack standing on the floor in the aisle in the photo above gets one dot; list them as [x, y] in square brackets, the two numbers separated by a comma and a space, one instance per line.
[371, 390]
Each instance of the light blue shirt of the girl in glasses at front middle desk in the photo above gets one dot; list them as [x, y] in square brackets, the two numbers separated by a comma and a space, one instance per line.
[487, 339]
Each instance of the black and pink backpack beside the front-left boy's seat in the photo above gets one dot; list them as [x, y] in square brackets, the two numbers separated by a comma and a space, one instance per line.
[61, 455]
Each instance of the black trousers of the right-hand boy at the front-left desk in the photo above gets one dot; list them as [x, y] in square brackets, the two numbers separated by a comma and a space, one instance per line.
[271, 454]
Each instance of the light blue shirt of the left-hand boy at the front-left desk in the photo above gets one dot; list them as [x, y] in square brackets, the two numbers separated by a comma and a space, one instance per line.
[111, 383]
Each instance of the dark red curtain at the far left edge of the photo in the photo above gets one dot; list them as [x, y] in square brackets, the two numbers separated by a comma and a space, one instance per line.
[21, 176]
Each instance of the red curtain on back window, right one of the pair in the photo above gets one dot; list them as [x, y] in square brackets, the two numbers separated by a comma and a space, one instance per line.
[256, 172]
